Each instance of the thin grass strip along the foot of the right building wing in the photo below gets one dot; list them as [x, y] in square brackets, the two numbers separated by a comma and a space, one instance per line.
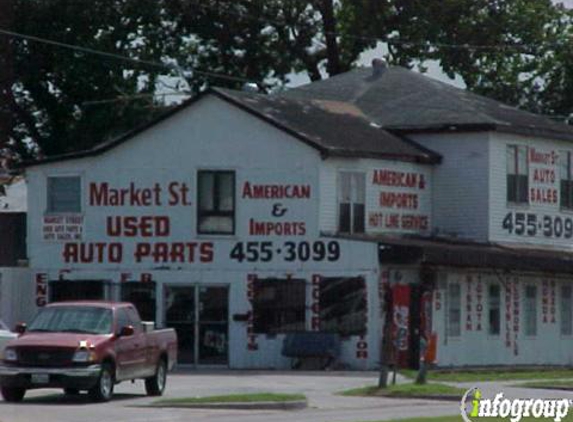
[492, 375]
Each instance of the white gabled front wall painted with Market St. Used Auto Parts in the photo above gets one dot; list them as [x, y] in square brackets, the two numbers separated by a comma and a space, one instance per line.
[208, 135]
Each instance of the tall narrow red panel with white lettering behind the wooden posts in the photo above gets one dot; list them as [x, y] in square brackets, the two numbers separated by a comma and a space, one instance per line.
[401, 322]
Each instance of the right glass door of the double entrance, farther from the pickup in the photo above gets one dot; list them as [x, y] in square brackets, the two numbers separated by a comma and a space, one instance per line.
[213, 325]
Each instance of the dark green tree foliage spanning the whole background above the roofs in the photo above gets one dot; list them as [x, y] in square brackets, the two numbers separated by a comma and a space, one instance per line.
[517, 51]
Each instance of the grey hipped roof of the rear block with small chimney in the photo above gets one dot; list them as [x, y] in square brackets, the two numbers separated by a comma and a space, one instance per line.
[407, 101]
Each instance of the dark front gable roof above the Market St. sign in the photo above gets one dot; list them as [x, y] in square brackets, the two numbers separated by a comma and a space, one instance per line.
[331, 127]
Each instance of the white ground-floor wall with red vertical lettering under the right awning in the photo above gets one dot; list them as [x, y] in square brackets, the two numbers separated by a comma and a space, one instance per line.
[511, 346]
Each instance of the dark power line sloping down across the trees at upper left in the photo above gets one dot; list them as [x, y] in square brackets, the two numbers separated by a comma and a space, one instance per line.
[115, 56]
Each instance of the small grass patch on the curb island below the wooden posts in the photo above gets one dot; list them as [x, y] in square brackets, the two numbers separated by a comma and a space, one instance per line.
[407, 390]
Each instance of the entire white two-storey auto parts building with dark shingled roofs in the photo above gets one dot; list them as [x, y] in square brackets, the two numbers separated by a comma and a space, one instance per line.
[375, 201]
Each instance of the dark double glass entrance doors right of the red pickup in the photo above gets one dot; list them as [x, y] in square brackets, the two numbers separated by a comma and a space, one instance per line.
[200, 315]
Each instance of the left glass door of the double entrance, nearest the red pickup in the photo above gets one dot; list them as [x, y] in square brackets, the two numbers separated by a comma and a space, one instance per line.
[180, 310]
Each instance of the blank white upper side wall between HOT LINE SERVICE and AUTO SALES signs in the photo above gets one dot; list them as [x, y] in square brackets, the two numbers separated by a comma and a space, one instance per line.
[460, 194]
